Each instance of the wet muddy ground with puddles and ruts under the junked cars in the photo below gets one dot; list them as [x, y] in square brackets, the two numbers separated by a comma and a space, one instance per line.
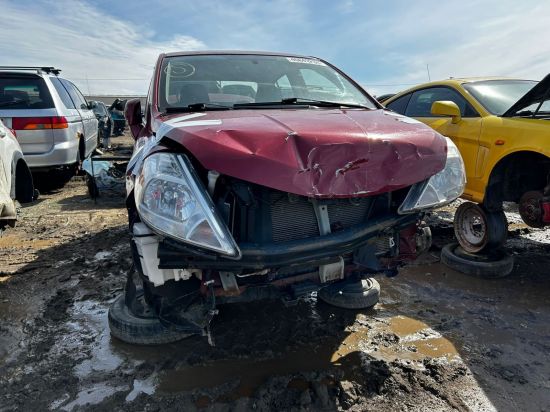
[438, 340]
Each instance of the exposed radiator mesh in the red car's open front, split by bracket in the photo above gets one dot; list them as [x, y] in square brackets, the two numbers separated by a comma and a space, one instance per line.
[293, 217]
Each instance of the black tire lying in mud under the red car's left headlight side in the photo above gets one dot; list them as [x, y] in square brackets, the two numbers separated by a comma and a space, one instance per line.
[136, 330]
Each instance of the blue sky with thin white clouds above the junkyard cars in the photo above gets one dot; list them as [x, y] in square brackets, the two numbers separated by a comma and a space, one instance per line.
[385, 45]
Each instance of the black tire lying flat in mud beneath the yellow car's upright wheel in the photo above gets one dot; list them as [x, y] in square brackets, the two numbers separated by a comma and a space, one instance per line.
[492, 265]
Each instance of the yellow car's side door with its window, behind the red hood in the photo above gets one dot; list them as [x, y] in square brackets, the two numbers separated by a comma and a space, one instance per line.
[465, 133]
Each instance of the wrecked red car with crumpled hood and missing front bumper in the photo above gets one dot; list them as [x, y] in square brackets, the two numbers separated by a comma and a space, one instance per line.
[263, 175]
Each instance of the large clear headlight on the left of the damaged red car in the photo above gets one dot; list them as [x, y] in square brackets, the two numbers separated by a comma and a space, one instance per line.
[171, 200]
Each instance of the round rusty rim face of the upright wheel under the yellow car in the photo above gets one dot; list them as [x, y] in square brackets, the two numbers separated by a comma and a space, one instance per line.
[471, 228]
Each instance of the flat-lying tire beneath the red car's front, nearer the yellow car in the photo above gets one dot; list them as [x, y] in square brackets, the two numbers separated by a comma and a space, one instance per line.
[351, 294]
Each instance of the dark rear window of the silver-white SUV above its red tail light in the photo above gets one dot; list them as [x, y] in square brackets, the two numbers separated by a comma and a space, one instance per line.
[24, 93]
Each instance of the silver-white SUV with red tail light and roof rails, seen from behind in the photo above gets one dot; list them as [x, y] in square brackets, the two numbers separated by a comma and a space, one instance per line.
[55, 125]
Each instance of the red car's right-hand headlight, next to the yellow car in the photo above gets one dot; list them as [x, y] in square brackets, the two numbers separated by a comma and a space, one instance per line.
[440, 189]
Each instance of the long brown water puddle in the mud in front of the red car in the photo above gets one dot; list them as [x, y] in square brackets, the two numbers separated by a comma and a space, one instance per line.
[415, 341]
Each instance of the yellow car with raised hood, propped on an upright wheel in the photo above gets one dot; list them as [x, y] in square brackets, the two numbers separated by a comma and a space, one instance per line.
[502, 129]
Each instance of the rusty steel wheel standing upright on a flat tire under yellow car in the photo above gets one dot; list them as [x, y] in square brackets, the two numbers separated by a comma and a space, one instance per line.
[477, 229]
